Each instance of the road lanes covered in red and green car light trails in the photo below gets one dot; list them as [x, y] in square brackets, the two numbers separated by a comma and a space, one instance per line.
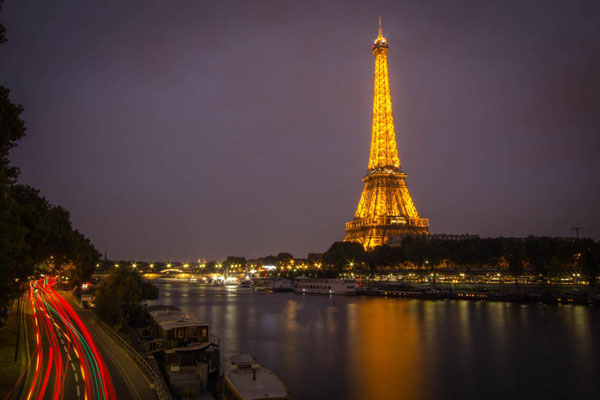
[65, 362]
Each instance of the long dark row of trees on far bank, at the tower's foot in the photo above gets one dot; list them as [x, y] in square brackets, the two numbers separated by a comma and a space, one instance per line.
[544, 256]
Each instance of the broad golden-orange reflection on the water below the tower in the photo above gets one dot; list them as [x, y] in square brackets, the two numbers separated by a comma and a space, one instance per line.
[381, 370]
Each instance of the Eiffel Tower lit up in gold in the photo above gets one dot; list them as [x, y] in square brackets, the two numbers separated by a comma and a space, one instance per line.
[385, 208]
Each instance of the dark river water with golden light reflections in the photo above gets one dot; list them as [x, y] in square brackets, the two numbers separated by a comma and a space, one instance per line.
[355, 347]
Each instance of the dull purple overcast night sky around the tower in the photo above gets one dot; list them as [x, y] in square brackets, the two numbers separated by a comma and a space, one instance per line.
[178, 130]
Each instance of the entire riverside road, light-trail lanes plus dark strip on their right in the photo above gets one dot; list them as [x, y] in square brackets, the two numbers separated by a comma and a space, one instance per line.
[71, 355]
